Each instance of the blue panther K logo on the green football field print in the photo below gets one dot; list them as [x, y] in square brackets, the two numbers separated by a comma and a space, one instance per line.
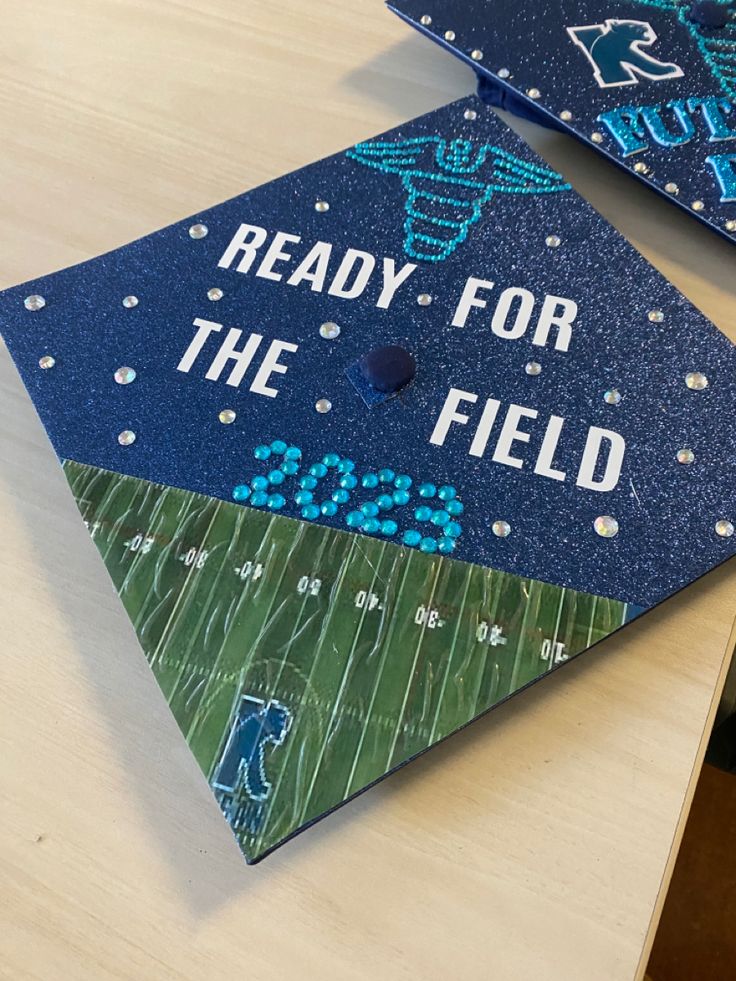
[240, 777]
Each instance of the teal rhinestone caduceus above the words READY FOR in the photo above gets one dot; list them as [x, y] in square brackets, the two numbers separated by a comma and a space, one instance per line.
[448, 184]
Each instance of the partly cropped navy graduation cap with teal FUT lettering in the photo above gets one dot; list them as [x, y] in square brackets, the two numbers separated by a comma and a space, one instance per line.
[651, 84]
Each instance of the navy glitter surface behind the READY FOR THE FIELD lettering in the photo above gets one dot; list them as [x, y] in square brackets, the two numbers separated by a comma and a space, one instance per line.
[666, 511]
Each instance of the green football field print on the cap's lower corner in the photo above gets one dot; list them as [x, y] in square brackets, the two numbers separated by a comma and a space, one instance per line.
[377, 651]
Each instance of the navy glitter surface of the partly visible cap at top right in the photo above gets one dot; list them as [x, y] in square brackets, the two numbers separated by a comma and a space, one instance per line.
[531, 42]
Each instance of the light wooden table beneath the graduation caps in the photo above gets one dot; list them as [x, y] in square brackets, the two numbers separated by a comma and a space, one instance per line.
[536, 845]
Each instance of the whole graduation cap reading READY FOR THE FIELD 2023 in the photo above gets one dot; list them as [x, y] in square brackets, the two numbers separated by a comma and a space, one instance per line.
[372, 447]
